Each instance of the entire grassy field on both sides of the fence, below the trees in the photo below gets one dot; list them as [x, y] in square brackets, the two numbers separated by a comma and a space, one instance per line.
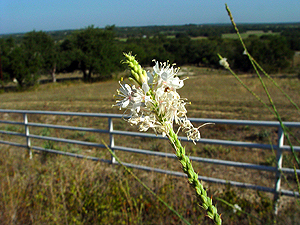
[59, 190]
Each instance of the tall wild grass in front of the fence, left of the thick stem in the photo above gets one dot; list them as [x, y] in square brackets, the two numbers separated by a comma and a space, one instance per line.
[65, 190]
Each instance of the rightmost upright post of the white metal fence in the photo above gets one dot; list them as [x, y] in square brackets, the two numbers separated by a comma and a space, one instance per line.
[278, 169]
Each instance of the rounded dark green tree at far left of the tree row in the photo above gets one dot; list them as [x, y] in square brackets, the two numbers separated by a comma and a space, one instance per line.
[26, 60]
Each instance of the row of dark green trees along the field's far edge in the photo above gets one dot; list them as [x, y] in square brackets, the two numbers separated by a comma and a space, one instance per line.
[97, 52]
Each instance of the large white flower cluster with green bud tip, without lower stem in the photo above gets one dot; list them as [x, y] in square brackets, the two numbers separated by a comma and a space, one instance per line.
[153, 101]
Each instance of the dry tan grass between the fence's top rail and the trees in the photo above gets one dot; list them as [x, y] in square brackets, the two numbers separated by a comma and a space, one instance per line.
[213, 96]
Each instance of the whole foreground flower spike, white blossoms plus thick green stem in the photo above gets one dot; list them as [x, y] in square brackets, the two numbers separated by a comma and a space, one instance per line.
[154, 103]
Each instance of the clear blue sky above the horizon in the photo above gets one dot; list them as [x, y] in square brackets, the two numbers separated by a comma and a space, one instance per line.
[27, 15]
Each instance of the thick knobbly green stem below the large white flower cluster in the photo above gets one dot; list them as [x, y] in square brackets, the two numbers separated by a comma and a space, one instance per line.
[193, 178]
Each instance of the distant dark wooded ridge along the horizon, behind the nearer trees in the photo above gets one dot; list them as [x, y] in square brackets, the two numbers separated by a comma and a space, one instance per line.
[192, 30]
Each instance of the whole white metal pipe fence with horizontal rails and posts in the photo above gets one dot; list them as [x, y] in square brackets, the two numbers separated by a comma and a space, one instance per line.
[279, 147]
